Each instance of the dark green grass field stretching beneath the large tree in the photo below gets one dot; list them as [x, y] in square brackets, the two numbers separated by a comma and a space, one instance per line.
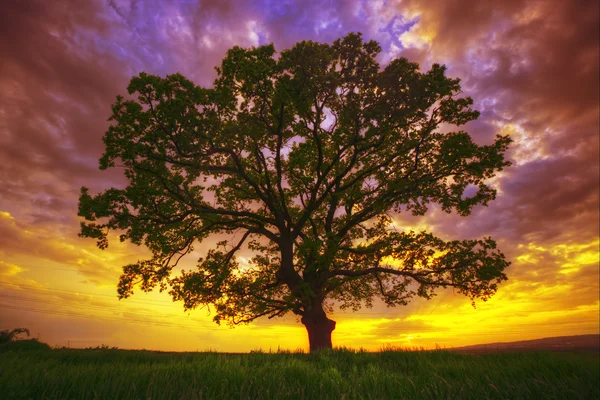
[40, 373]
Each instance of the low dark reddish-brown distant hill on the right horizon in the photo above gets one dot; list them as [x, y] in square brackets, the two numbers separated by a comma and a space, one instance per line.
[580, 343]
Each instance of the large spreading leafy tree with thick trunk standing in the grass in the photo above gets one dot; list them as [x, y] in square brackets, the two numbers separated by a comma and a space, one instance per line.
[304, 158]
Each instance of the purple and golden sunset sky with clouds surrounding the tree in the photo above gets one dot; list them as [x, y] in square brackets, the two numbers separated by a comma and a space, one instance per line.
[531, 67]
